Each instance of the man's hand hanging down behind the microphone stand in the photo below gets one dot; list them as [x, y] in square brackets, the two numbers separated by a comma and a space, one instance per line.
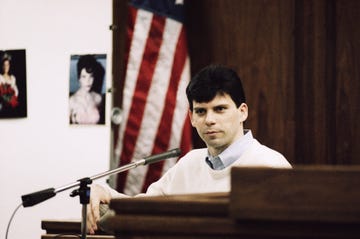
[98, 194]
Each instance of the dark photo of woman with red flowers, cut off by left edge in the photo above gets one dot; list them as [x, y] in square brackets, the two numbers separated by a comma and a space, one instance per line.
[13, 99]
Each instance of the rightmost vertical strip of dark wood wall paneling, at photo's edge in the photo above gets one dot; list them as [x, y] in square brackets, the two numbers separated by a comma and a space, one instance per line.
[347, 91]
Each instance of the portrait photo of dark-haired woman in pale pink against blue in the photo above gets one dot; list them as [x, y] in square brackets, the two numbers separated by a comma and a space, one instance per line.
[87, 89]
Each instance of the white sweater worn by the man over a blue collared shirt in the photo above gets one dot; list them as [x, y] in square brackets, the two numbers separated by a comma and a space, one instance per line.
[193, 175]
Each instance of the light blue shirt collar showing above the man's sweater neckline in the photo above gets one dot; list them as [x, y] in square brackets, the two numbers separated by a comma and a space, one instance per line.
[231, 153]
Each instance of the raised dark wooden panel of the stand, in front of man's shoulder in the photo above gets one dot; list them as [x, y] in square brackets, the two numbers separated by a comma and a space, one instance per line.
[297, 194]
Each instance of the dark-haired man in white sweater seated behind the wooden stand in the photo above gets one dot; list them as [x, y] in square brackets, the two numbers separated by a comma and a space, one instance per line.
[218, 111]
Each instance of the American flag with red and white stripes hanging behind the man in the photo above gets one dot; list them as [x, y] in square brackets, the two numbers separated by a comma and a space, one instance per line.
[154, 102]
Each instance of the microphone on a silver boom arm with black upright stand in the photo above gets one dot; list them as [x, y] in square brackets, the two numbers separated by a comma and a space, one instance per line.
[84, 190]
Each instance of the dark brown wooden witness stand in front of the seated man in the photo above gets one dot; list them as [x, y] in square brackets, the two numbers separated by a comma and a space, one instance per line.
[304, 202]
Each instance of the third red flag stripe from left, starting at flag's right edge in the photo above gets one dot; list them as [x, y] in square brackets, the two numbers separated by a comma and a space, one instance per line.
[163, 135]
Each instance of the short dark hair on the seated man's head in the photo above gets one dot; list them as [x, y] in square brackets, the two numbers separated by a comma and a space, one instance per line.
[213, 80]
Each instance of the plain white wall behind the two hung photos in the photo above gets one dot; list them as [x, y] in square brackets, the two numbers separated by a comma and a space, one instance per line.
[42, 150]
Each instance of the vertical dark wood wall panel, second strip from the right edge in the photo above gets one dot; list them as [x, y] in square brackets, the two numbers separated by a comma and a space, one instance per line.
[314, 51]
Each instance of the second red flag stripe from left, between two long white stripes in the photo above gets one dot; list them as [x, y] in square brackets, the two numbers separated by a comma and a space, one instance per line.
[143, 84]
